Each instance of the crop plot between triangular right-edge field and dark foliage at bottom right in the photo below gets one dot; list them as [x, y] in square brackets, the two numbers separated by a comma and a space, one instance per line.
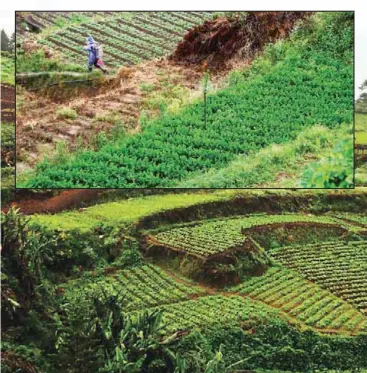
[305, 301]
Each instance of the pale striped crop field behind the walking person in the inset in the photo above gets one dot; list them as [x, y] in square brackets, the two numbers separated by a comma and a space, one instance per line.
[127, 38]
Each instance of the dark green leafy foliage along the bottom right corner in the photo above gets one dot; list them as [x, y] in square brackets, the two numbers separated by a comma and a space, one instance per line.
[273, 344]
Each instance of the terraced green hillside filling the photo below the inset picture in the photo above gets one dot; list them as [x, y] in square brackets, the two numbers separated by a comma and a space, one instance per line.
[232, 279]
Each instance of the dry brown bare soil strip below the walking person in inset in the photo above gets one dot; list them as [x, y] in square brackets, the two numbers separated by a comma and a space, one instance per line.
[39, 129]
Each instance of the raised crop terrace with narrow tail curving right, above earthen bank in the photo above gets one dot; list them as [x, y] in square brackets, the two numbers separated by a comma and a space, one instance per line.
[208, 238]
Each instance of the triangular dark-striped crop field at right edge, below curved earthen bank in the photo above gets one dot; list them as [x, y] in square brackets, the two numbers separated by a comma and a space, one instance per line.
[336, 266]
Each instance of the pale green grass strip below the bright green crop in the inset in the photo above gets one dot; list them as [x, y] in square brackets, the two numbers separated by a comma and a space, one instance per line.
[276, 164]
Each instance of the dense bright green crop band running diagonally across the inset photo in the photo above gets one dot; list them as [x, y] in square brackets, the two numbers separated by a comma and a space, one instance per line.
[304, 82]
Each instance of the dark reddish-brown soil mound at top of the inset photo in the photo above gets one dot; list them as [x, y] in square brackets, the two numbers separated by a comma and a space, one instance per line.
[219, 40]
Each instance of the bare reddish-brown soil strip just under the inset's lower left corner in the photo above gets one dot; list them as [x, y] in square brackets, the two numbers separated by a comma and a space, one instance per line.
[65, 200]
